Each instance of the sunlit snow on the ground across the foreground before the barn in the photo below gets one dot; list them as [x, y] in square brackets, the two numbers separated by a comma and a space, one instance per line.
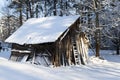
[107, 69]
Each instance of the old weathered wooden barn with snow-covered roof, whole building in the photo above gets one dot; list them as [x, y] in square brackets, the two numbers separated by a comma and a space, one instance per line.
[50, 40]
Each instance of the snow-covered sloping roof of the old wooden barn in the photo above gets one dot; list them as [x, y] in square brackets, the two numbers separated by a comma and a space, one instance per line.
[41, 30]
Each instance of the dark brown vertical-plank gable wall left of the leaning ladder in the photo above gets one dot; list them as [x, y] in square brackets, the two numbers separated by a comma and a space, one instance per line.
[64, 53]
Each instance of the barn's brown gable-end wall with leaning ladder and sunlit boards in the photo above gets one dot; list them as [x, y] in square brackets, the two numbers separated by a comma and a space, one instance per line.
[72, 47]
